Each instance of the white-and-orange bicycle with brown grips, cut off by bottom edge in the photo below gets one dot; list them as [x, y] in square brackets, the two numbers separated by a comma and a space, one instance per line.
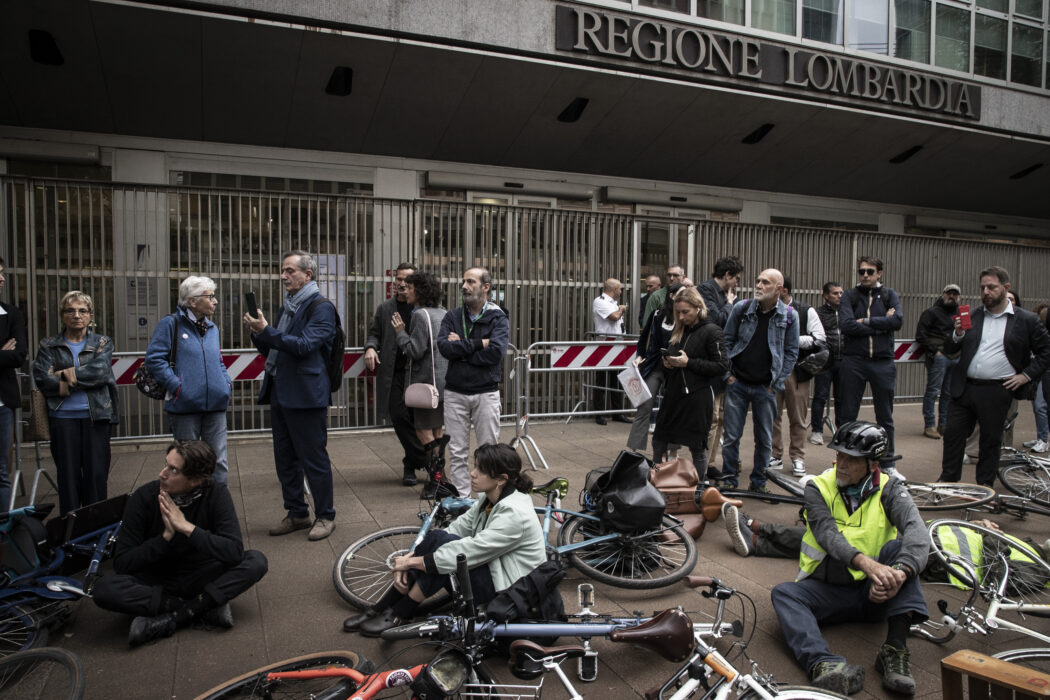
[710, 675]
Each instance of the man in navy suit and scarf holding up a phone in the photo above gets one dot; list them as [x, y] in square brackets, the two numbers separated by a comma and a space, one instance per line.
[297, 388]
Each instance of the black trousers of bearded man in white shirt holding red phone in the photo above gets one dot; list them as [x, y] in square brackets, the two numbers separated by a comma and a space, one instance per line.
[980, 405]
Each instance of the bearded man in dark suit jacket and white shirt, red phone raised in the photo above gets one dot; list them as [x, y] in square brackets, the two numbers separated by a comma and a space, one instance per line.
[1003, 355]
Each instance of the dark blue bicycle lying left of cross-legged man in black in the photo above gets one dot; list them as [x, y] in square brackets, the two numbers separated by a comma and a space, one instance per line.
[36, 581]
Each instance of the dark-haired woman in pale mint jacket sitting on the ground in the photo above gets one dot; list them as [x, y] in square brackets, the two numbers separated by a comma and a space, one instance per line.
[500, 537]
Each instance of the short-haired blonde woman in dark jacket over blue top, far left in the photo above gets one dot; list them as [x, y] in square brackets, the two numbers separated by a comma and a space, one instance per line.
[74, 371]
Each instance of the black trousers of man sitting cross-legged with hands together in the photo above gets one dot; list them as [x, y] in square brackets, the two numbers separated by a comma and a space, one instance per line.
[151, 595]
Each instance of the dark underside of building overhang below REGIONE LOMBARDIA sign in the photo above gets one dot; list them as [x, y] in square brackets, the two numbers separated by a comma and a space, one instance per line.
[148, 71]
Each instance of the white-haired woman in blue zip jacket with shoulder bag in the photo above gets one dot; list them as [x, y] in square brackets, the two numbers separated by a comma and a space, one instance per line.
[198, 385]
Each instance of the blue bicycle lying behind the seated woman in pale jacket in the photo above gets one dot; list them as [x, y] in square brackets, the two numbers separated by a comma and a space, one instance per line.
[646, 560]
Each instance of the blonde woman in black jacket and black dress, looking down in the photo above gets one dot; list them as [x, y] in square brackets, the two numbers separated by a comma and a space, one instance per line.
[695, 359]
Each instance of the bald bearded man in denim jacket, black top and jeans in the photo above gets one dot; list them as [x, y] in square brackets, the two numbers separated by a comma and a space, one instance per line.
[758, 371]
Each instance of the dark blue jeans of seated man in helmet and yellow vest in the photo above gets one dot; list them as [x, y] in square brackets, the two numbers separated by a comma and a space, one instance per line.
[805, 607]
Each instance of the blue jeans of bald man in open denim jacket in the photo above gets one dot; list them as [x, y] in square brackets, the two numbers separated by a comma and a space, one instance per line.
[764, 408]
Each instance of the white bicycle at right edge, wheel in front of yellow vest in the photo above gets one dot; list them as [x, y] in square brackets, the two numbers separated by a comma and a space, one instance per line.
[1010, 578]
